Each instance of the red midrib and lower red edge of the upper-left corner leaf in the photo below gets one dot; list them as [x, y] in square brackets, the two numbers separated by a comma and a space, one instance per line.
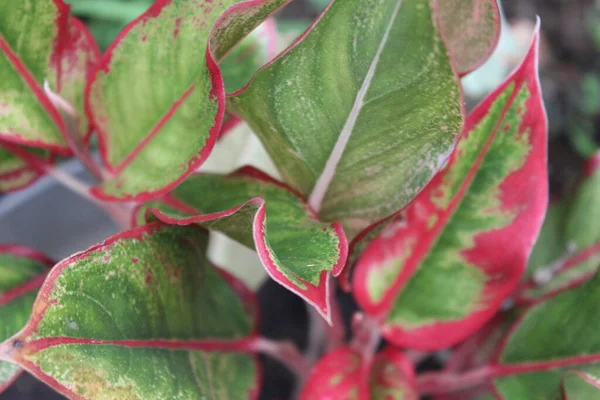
[43, 100]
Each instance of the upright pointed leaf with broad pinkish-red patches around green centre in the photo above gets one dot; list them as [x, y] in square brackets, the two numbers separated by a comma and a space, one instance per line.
[444, 267]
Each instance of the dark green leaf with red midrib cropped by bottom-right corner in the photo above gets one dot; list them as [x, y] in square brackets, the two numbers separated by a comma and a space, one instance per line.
[538, 350]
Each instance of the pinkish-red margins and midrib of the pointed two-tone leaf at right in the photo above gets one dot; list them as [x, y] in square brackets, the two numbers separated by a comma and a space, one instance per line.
[508, 266]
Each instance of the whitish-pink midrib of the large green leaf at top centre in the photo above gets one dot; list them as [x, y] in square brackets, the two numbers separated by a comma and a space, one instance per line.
[318, 194]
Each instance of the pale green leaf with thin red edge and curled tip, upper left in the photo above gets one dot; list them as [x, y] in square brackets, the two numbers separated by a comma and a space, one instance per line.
[157, 98]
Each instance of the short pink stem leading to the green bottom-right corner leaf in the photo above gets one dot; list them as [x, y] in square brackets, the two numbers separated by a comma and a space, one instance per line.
[445, 382]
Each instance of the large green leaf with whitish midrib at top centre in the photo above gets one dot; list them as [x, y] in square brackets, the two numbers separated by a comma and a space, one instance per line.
[351, 109]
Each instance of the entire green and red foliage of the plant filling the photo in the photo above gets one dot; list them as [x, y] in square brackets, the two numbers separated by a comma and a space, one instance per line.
[427, 215]
